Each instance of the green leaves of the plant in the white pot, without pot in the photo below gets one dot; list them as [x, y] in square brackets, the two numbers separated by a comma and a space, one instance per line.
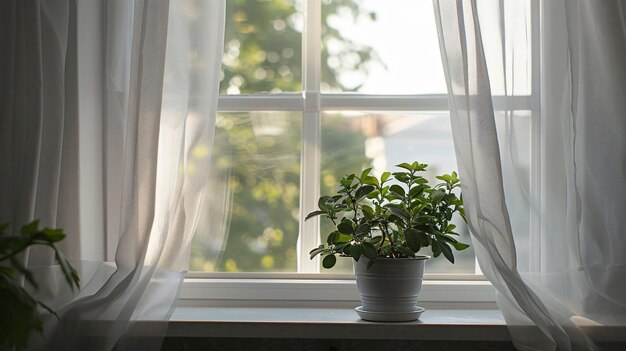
[395, 215]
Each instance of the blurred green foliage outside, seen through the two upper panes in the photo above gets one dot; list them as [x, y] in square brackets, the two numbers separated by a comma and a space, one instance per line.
[263, 40]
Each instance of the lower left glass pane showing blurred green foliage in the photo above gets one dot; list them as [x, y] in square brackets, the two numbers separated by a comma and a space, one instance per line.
[249, 220]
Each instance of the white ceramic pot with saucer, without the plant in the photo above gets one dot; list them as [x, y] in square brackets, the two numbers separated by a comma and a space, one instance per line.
[389, 288]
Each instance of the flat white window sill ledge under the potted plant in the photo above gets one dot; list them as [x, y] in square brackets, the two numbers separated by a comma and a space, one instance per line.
[328, 323]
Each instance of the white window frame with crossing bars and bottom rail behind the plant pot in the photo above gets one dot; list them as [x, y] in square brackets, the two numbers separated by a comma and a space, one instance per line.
[308, 288]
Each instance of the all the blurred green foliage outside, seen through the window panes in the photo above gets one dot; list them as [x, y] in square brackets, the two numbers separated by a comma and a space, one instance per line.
[262, 53]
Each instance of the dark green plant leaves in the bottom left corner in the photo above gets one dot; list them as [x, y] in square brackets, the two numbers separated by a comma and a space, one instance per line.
[21, 313]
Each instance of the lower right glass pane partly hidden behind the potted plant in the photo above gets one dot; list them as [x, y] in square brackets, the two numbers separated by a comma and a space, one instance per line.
[352, 141]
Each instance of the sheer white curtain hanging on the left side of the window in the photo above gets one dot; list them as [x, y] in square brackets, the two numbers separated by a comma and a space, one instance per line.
[161, 79]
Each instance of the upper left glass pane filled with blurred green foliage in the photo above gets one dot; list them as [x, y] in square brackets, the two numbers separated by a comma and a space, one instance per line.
[262, 47]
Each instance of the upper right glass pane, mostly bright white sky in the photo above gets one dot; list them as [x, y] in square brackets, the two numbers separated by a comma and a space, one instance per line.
[381, 47]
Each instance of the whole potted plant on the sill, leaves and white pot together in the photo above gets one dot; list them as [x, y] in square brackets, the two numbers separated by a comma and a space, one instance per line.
[383, 223]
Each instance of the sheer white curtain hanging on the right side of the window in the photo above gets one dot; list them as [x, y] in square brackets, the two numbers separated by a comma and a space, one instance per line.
[569, 269]
